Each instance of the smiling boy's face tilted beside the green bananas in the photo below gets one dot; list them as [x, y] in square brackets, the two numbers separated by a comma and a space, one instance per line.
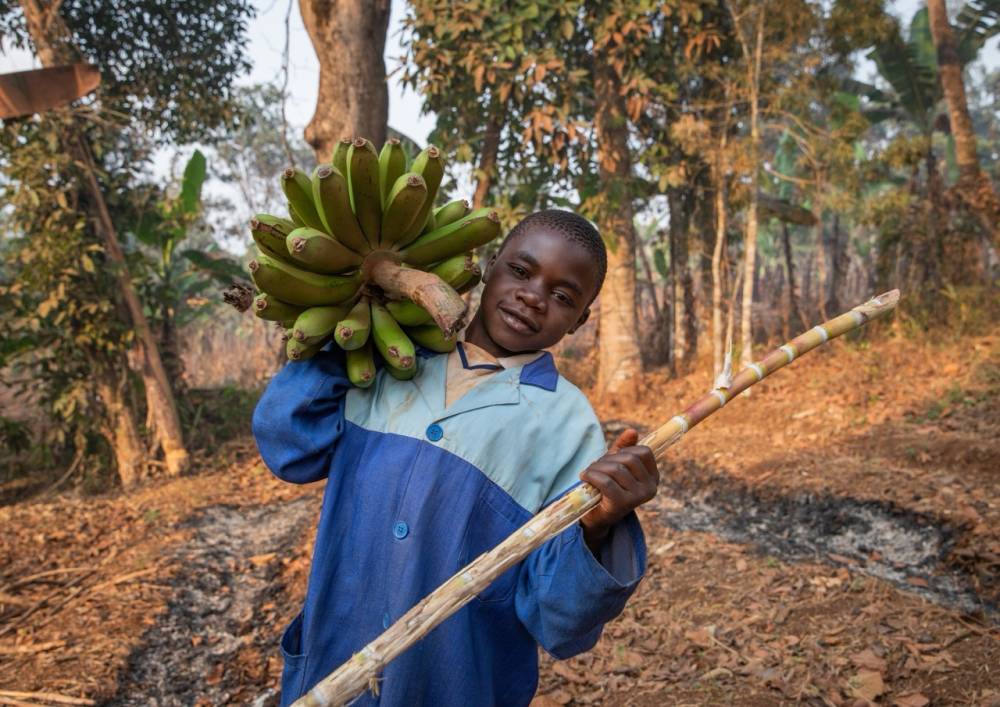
[538, 289]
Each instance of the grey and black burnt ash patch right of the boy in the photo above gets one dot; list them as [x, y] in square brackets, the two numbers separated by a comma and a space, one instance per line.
[880, 539]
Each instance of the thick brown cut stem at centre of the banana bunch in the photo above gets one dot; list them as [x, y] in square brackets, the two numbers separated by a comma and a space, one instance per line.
[424, 288]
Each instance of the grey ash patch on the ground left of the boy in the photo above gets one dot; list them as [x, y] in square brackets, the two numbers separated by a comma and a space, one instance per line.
[227, 572]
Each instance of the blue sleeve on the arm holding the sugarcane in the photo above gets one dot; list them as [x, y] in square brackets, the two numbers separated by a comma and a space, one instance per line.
[565, 594]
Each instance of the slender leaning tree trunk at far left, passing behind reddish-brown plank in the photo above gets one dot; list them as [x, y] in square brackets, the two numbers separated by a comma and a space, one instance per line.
[54, 46]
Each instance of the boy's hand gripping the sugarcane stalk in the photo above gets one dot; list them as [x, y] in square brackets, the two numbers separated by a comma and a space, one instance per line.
[627, 477]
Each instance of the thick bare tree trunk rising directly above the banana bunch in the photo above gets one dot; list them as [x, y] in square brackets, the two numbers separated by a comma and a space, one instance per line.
[349, 39]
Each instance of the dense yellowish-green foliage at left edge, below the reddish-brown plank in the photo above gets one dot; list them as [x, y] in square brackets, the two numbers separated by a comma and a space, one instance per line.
[57, 323]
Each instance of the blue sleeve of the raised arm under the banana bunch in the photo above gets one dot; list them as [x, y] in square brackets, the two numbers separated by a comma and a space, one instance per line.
[300, 418]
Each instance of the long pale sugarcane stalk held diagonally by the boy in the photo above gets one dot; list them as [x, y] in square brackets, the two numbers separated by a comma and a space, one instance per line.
[362, 670]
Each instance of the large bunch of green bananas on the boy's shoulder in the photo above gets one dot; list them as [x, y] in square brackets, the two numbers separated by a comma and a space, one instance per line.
[366, 260]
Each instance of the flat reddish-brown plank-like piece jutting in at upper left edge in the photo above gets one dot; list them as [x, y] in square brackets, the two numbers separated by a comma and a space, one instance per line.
[23, 93]
